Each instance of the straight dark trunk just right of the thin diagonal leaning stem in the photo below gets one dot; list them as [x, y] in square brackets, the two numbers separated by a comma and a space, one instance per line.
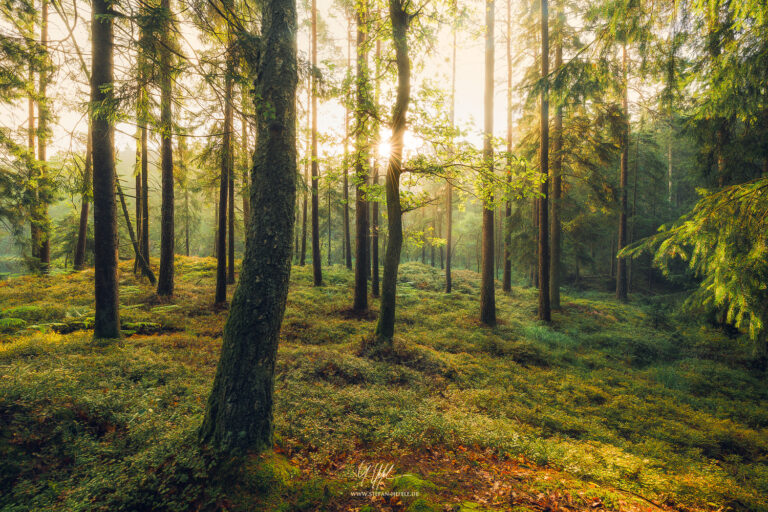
[167, 226]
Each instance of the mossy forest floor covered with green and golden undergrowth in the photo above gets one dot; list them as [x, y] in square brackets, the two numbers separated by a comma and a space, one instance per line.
[611, 407]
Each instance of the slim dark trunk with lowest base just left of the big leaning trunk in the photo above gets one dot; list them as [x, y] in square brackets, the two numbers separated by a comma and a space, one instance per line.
[225, 171]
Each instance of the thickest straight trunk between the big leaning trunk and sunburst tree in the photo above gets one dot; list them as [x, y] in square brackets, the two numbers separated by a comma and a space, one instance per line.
[362, 262]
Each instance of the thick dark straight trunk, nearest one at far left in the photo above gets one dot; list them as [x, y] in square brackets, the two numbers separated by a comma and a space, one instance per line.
[107, 315]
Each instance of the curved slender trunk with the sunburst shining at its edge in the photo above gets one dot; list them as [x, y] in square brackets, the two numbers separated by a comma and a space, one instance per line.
[385, 328]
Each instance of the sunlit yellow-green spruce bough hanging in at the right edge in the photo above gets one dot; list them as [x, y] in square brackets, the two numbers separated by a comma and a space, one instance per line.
[723, 242]
